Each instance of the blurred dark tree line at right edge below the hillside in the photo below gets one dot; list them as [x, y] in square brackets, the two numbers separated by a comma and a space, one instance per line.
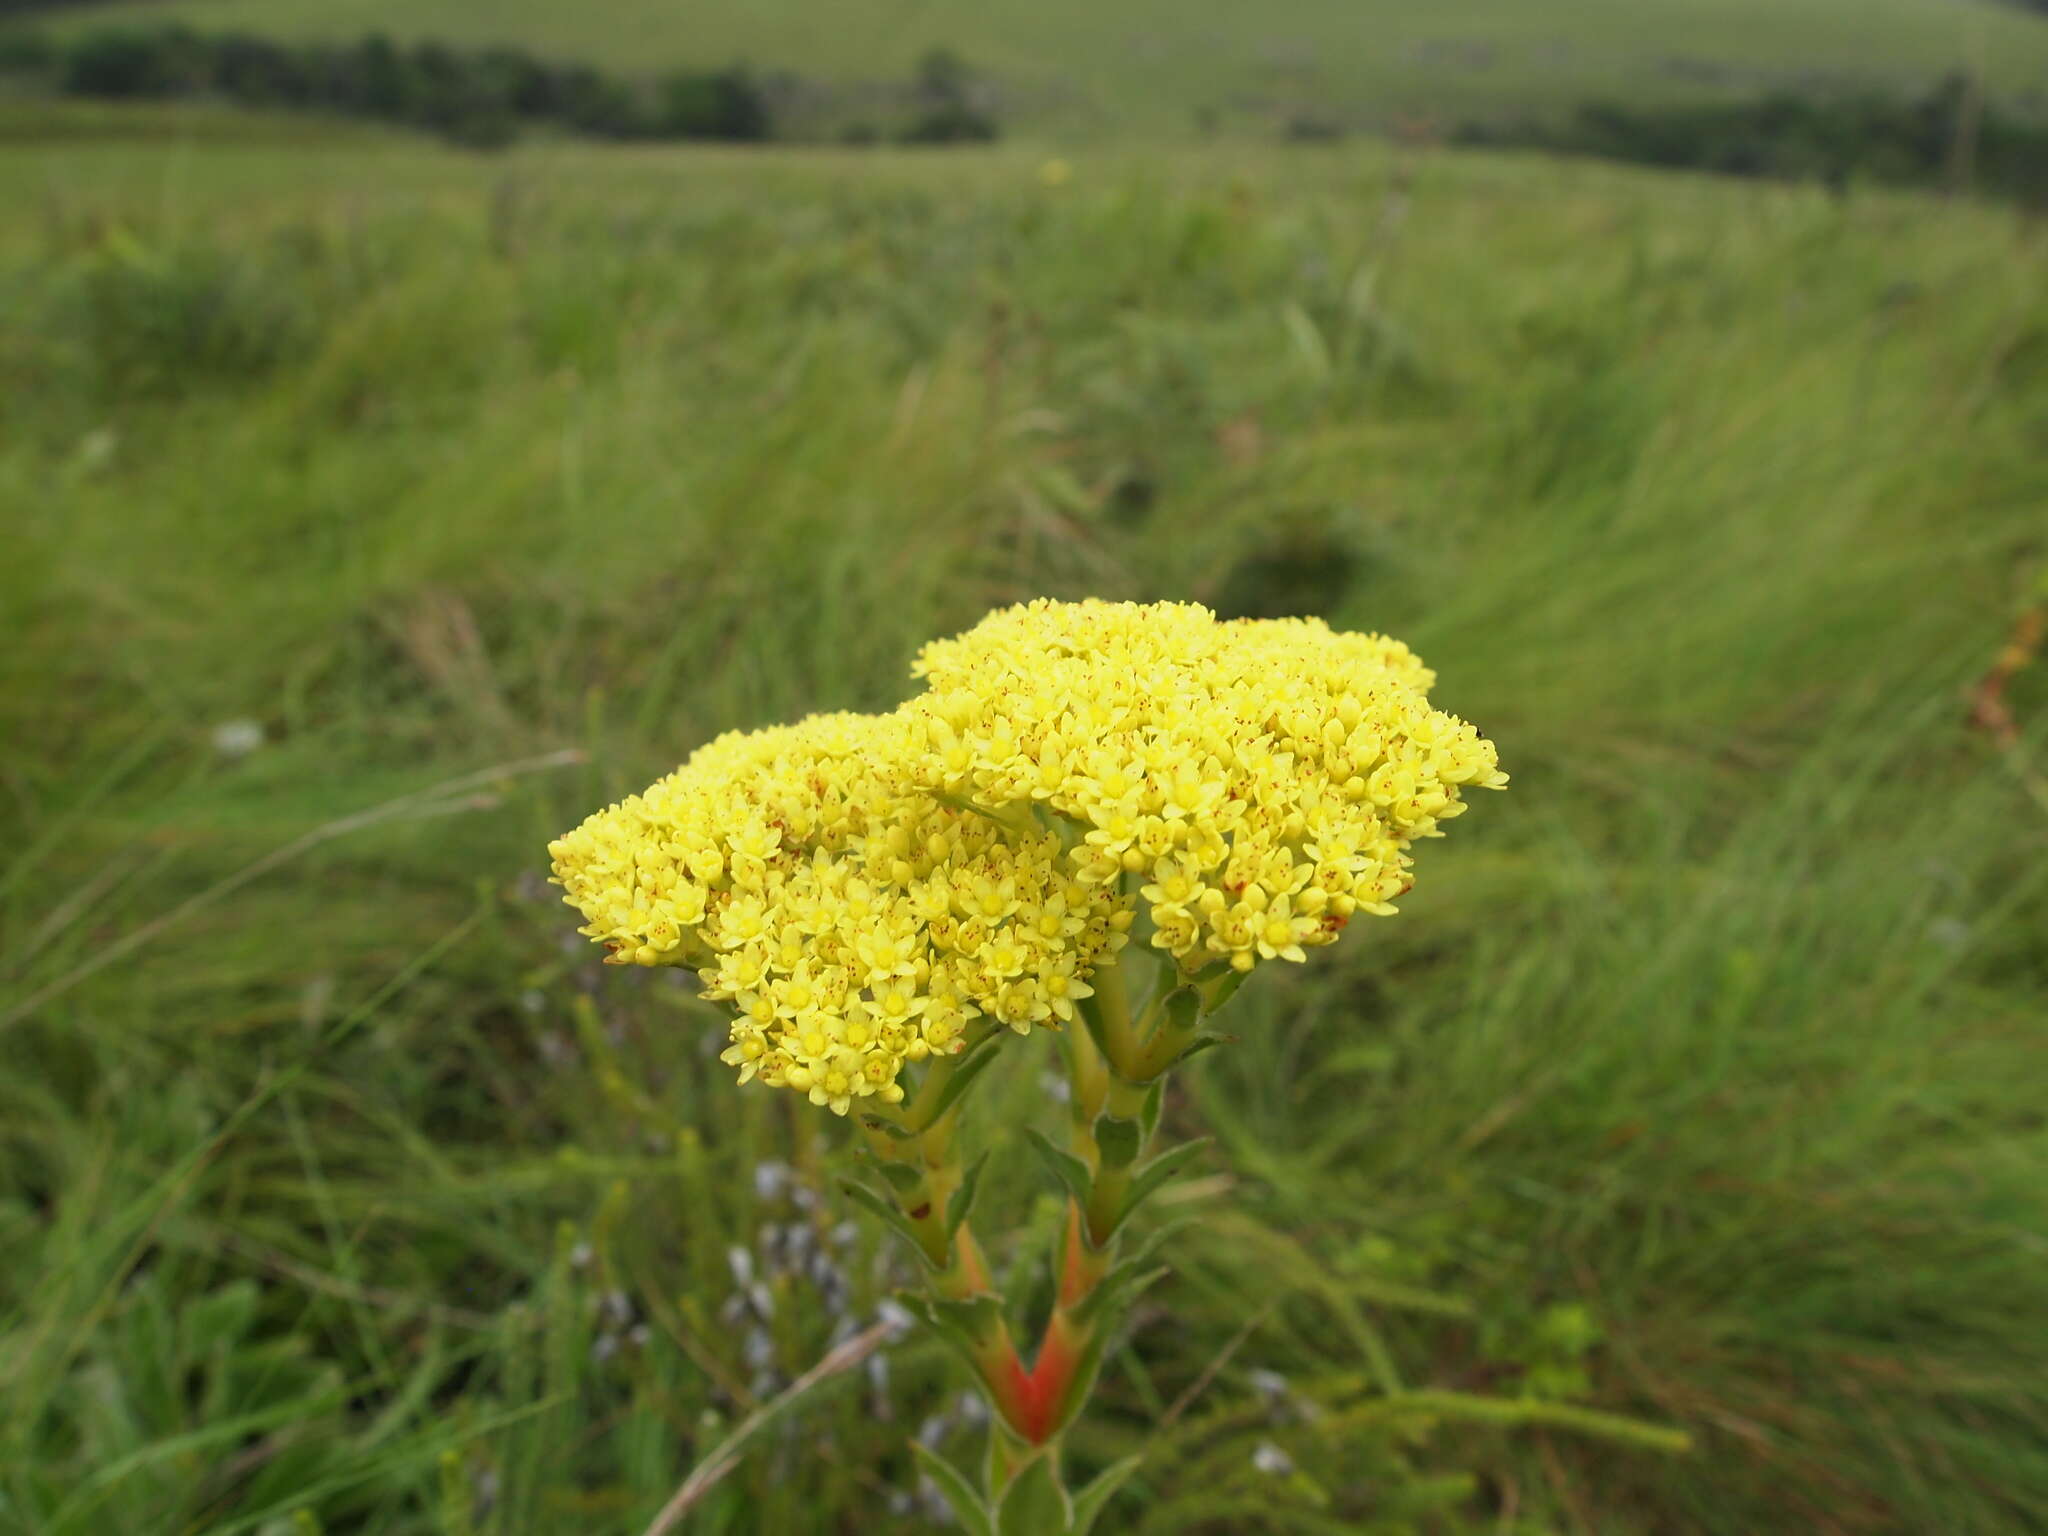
[1953, 136]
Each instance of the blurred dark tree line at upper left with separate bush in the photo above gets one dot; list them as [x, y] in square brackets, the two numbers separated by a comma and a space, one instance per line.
[480, 97]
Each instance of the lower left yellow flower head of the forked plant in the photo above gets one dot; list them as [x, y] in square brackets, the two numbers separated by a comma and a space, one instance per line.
[851, 921]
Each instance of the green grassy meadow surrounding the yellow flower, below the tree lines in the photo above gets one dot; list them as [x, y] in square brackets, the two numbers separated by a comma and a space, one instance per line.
[341, 1191]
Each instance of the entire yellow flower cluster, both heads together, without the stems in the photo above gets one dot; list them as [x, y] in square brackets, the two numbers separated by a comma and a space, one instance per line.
[863, 888]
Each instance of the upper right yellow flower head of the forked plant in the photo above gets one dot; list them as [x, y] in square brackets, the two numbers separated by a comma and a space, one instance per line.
[1256, 783]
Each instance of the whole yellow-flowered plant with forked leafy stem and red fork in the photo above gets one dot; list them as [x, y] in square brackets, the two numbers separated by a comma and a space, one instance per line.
[884, 900]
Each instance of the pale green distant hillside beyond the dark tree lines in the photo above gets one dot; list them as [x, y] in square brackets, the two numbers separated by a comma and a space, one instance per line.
[1150, 67]
